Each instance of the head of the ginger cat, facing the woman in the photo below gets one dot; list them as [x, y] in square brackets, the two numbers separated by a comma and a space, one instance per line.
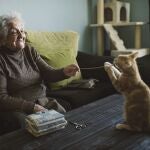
[124, 62]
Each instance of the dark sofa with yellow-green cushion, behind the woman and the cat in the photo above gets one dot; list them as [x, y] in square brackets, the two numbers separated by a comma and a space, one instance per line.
[75, 96]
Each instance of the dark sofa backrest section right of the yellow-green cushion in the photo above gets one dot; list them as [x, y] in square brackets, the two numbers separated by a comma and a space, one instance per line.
[86, 60]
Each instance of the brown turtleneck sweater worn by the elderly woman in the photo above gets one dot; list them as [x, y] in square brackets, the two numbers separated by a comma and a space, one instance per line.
[21, 79]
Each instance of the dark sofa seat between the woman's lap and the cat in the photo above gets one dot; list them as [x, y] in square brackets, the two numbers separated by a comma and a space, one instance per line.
[78, 97]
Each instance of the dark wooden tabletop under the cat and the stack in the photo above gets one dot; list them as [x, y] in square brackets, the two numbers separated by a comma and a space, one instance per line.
[100, 134]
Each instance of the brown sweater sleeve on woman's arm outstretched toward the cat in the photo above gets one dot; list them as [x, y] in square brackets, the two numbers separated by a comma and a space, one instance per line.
[48, 73]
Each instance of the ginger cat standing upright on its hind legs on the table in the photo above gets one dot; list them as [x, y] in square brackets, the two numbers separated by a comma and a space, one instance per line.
[126, 79]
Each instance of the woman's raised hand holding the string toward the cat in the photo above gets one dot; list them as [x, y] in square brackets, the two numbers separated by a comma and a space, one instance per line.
[71, 70]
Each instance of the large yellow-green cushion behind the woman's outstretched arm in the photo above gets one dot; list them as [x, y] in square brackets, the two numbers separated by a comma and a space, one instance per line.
[59, 49]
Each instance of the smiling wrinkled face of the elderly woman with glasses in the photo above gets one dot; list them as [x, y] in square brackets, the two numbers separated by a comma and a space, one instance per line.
[15, 40]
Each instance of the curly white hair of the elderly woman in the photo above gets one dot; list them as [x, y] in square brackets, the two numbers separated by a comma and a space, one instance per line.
[6, 19]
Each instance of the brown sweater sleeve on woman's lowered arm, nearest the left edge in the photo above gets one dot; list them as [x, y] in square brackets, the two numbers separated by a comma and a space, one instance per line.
[9, 103]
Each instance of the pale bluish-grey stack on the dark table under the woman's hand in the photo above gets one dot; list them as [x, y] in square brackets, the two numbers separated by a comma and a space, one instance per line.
[45, 122]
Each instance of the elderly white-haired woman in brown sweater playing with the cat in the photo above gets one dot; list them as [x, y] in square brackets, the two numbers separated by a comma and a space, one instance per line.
[23, 72]
